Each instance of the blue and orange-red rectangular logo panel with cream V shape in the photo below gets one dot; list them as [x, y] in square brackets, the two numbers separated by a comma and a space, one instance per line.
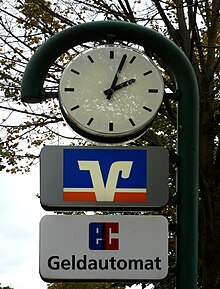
[106, 176]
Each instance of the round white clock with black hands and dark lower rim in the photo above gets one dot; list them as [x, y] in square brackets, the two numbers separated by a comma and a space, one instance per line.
[110, 93]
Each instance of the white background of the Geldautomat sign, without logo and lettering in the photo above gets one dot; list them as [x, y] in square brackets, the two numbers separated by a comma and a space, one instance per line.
[140, 237]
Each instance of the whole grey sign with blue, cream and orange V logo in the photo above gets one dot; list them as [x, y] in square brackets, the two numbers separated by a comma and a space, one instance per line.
[90, 178]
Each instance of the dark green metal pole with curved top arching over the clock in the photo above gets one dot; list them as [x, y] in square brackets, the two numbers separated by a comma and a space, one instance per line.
[188, 118]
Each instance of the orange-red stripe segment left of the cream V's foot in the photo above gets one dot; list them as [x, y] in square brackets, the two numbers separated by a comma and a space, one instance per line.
[79, 197]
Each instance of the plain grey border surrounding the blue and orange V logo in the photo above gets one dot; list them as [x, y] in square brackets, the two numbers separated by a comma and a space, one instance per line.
[51, 180]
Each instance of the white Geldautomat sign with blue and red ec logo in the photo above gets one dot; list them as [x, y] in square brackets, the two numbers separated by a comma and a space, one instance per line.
[103, 248]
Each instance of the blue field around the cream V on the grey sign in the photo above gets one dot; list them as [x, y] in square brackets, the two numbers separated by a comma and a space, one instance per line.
[73, 177]
